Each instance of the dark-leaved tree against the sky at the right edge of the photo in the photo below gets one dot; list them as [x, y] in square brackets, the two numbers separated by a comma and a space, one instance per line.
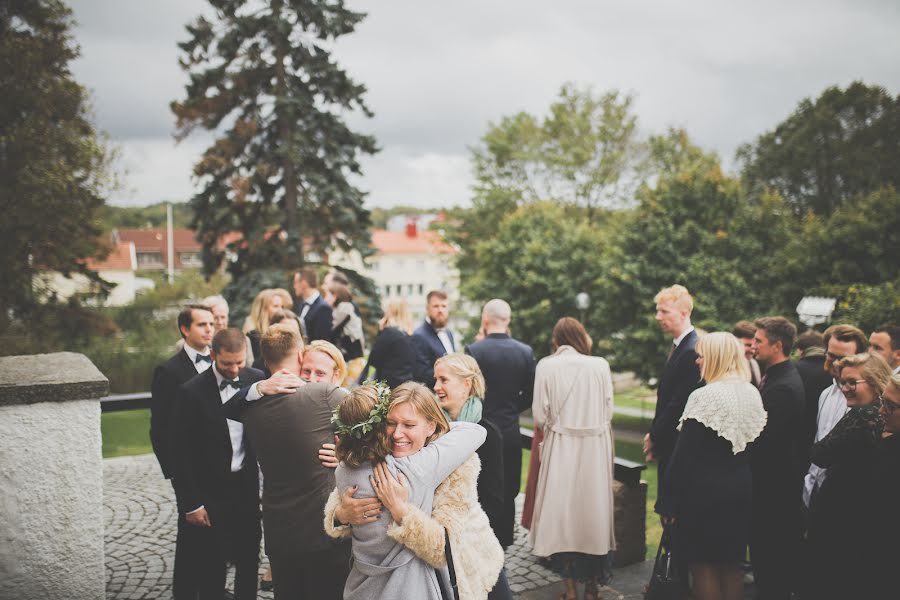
[844, 144]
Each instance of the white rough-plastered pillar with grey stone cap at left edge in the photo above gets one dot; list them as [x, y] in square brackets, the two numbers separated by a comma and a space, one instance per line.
[51, 478]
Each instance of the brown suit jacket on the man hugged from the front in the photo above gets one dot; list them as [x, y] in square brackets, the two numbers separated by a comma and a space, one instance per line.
[286, 433]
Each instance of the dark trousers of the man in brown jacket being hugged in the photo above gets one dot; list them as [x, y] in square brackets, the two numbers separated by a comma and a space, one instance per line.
[320, 574]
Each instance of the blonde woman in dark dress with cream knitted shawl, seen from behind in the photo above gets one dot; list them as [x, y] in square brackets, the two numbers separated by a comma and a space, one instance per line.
[708, 481]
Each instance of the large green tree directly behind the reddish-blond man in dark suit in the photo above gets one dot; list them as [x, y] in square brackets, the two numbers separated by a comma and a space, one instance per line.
[696, 227]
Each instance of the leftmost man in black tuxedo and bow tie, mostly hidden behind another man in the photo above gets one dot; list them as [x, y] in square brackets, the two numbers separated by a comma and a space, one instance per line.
[196, 324]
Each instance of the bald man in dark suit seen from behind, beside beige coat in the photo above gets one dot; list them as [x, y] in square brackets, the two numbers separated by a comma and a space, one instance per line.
[508, 368]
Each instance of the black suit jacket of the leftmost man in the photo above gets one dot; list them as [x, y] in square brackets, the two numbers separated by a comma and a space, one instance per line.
[166, 380]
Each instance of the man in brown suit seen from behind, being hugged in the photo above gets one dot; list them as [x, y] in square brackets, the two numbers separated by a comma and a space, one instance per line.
[286, 431]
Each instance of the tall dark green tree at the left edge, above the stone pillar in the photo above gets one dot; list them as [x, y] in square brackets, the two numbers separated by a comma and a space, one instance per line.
[54, 166]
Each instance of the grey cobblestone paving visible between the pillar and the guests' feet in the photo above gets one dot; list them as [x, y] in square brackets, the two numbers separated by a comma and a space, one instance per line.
[139, 513]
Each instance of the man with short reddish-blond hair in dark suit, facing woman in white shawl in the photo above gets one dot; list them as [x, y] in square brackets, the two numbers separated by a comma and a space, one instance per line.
[680, 376]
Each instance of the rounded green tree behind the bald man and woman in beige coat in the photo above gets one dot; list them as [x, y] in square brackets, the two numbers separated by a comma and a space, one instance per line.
[539, 258]
